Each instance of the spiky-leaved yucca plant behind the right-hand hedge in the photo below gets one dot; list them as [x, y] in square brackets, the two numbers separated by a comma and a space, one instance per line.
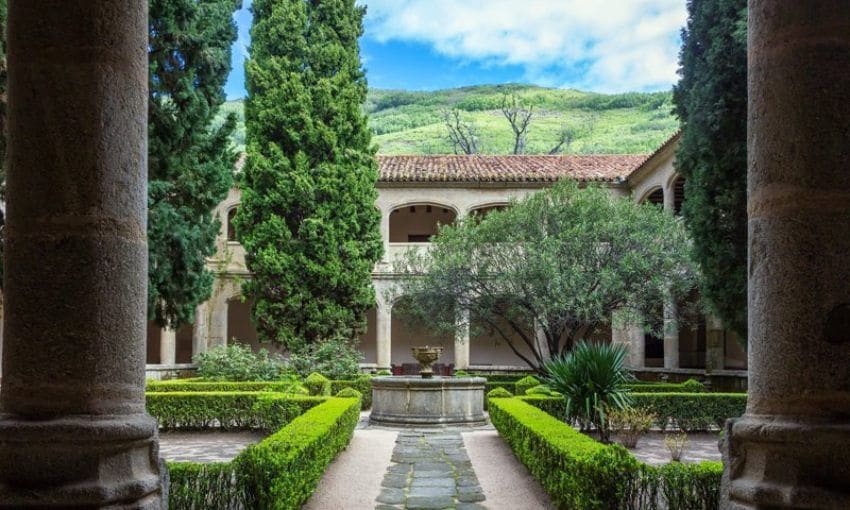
[592, 377]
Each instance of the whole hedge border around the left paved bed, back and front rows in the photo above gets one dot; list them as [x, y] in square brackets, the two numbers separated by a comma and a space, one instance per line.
[281, 471]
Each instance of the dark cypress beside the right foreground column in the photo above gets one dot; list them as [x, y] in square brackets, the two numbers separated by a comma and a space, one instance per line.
[711, 102]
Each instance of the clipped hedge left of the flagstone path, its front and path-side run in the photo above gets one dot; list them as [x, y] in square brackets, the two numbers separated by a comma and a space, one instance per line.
[279, 473]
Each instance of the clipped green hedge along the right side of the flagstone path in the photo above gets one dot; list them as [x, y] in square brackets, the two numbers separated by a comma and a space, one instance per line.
[582, 474]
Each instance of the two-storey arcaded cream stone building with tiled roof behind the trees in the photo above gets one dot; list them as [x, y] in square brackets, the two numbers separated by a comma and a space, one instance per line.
[416, 194]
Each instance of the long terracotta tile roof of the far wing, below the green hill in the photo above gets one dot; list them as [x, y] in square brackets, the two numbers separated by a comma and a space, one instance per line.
[463, 168]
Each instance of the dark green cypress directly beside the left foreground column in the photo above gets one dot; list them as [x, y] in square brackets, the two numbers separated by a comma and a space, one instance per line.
[190, 159]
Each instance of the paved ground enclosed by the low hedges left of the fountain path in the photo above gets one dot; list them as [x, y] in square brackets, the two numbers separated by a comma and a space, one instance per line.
[205, 446]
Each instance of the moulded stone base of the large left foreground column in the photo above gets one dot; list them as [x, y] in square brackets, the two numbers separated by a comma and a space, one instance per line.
[81, 462]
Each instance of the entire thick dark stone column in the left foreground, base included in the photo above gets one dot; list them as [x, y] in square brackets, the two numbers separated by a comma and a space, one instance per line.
[73, 428]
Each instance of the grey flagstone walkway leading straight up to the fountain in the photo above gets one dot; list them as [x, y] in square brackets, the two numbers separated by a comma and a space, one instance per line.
[430, 471]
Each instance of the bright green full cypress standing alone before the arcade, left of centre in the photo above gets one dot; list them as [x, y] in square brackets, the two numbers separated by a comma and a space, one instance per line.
[308, 220]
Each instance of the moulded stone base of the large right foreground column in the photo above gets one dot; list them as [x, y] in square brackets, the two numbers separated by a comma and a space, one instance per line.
[785, 462]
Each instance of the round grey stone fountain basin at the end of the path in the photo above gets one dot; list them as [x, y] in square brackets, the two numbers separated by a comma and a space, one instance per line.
[410, 401]
